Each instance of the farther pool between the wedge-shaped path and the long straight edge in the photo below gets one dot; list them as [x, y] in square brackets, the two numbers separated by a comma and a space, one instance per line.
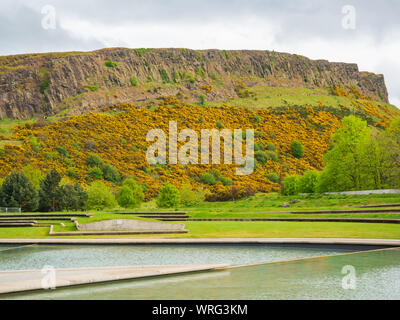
[63, 256]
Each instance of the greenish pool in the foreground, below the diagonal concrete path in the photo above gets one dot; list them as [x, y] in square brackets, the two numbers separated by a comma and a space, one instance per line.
[377, 277]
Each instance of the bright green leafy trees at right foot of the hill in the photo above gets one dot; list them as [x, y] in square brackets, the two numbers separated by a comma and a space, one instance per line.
[360, 158]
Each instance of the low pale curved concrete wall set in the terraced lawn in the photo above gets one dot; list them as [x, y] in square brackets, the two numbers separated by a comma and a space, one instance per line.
[130, 225]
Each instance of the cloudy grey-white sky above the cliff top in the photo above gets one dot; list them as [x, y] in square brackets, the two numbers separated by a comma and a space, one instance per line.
[365, 32]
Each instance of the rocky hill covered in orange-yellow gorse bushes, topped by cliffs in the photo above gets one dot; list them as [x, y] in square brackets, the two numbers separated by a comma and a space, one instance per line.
[58, 109]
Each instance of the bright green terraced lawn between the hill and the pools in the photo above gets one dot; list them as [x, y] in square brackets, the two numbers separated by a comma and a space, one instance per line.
[258, 203]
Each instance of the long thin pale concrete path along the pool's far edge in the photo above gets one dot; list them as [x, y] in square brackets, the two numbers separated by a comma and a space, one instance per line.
[330, 241]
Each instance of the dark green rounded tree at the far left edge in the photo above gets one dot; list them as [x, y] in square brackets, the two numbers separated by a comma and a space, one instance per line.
[18, 191]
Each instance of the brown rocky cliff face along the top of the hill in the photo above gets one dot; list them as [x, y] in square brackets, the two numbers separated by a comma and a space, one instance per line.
[48, 83]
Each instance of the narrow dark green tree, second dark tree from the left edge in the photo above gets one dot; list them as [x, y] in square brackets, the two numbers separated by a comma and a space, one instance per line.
[49, 192]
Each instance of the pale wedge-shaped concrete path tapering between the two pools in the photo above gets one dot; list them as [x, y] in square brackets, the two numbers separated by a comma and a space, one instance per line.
[26, 280]
